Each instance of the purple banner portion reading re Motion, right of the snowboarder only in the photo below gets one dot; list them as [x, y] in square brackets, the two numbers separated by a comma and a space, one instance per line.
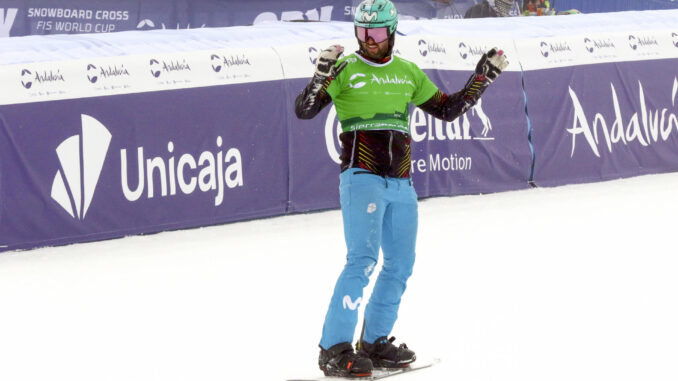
[485, 150]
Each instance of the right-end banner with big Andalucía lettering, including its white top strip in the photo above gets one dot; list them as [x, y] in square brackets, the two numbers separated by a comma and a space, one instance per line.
[596, 119]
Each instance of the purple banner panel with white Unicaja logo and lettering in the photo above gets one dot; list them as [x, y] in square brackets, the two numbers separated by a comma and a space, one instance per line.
[95, 168]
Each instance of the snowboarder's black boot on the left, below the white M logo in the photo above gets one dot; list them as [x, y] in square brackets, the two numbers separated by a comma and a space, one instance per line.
[341, 361]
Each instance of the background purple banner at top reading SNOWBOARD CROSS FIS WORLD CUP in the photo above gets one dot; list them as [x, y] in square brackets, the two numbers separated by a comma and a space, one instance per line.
[39, 17]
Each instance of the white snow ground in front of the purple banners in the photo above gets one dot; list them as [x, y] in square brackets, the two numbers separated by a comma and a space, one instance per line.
[569, 283]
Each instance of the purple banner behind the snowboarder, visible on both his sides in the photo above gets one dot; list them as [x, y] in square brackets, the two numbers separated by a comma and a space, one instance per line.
[483, 151]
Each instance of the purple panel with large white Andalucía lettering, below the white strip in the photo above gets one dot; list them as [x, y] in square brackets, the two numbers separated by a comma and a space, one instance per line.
[603, 121]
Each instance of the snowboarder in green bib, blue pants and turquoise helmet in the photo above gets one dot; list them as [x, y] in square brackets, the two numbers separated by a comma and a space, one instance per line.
[378, 200]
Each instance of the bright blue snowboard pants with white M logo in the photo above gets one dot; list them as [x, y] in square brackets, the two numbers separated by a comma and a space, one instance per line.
[378, 212]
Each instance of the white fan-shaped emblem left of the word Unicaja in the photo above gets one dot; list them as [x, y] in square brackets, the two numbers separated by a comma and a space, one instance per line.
[81, 159]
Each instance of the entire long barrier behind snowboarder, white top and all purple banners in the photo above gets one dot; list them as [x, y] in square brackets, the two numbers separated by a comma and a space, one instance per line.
[108, 135]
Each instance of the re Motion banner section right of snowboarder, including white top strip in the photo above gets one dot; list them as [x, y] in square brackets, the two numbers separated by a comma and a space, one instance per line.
[485, 150]
